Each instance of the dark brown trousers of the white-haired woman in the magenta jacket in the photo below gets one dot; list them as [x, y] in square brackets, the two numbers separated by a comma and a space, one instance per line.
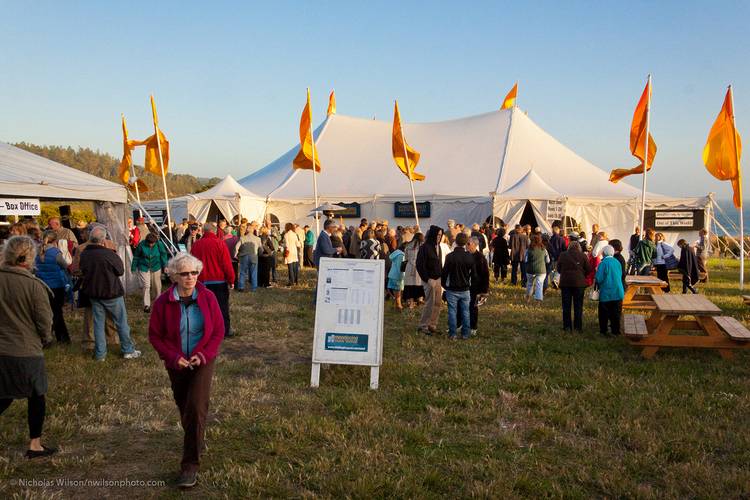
[192, 391]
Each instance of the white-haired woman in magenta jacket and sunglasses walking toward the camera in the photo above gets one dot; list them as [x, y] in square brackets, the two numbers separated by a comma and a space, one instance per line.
[186, 329]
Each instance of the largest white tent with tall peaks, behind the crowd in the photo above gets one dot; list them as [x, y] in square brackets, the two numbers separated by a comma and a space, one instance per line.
[495, 163]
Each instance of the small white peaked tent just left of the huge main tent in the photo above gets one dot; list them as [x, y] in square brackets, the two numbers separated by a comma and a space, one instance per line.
[227, 198]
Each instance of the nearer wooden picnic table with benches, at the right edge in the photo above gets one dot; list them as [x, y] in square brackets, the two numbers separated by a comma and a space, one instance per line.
[707, 329]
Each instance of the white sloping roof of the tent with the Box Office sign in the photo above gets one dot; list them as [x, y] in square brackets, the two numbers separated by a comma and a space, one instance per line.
[26, 174]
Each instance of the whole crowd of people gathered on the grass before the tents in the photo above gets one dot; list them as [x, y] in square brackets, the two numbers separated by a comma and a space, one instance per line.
[42, 269]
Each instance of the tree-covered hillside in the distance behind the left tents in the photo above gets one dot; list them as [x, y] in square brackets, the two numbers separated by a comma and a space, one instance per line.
[105, 166]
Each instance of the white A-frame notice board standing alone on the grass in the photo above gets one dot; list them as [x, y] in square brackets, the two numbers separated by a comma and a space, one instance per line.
[352, 334]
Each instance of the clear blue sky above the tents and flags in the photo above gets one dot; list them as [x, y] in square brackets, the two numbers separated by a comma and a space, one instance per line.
[230, 77]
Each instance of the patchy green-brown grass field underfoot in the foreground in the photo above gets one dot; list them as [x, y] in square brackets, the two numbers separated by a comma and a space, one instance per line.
[523, 410]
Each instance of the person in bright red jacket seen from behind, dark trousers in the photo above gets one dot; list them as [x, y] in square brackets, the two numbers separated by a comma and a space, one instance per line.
[218, 272]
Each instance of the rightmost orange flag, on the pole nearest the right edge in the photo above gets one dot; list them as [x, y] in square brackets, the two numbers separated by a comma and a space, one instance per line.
[723, 149]
